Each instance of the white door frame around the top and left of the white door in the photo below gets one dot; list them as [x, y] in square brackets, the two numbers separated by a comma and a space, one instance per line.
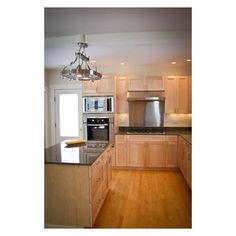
[52, 111]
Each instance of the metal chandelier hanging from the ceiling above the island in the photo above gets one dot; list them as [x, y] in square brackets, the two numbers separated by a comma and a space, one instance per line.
[81, 68]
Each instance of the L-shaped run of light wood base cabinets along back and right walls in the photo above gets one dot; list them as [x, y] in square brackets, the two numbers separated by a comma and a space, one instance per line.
[154, 151]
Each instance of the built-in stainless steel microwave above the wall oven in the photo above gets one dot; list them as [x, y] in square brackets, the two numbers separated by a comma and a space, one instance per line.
[98, 104]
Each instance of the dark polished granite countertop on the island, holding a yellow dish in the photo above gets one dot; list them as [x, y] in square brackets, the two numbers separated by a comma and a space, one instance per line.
[81, 154]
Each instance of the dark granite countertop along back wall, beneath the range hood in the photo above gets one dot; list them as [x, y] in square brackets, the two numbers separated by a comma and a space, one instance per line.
[184, 132]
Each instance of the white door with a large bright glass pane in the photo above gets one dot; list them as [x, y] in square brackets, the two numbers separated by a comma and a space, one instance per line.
[68, 114]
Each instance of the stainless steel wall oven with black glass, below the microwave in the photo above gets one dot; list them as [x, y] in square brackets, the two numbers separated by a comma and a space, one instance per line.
[98, 130]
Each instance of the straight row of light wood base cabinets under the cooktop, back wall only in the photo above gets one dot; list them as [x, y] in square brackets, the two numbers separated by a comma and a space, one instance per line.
[147, 151]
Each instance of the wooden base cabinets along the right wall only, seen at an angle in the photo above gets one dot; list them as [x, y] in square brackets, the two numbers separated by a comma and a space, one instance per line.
[185, 160]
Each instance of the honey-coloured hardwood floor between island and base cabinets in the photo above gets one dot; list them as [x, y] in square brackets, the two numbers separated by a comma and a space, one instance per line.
[146, 199]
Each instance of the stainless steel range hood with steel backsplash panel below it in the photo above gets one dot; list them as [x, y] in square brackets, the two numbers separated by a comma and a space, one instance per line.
[146, 108]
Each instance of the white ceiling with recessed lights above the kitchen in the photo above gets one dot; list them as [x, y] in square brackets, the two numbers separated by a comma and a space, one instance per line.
[136, 36]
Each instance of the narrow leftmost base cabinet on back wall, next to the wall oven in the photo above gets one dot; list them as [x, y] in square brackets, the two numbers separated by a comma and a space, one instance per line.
[121, 150]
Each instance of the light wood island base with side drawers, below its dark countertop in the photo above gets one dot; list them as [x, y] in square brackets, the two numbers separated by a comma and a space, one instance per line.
[75, 194]
